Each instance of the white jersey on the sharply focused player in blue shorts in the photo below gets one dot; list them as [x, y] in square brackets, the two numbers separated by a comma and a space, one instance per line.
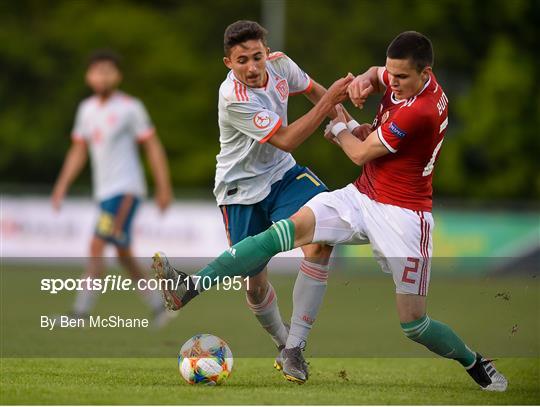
[247, 166]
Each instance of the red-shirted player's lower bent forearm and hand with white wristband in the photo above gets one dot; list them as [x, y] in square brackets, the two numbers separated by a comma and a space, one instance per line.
[359, 152]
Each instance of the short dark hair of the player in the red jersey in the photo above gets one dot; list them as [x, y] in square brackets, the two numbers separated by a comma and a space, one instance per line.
[413, 46]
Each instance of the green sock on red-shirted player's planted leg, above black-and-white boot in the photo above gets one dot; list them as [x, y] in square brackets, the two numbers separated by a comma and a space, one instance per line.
[440, 339]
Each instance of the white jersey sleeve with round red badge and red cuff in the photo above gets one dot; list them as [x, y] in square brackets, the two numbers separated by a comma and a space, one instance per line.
[253, 120]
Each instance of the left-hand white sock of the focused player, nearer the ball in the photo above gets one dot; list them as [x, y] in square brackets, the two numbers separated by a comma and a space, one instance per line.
[267, 312]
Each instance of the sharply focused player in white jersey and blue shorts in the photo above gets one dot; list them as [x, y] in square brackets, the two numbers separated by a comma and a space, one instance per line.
[257, 180]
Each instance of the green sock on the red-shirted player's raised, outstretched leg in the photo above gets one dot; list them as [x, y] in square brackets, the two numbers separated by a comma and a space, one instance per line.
[249, 254]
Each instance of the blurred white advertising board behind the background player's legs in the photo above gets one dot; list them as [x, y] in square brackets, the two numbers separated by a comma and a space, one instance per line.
[30, 228]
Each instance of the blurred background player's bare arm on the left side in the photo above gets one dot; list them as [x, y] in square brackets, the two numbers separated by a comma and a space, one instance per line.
[73, 164]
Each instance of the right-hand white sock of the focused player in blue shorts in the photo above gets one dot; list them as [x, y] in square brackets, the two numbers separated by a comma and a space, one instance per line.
[308, 294]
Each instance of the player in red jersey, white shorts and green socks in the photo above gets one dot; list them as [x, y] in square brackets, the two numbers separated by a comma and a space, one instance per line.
[389, 205]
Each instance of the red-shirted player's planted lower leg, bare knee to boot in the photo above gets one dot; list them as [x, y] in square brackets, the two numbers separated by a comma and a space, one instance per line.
[442, 340]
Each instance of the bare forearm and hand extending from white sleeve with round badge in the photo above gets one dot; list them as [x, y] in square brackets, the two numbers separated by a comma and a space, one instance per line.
[290, 137]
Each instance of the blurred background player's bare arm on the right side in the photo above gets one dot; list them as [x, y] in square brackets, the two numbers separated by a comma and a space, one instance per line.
[160, 170]
